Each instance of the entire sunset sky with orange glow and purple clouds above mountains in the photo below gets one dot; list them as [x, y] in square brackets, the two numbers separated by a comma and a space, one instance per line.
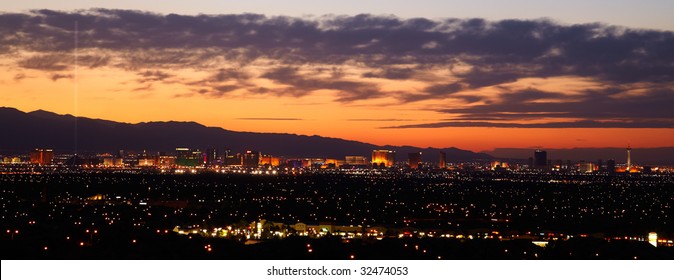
[431, 73]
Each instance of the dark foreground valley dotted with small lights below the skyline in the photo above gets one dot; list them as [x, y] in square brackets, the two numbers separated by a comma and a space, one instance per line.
[93, 215]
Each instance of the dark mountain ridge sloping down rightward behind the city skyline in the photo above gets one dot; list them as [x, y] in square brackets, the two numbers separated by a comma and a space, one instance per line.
[26, 131]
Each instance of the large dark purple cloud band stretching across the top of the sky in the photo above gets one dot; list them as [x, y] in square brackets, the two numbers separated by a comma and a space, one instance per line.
[500, 51]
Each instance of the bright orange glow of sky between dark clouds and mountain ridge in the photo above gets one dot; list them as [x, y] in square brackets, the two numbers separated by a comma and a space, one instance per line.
[114, 94]
